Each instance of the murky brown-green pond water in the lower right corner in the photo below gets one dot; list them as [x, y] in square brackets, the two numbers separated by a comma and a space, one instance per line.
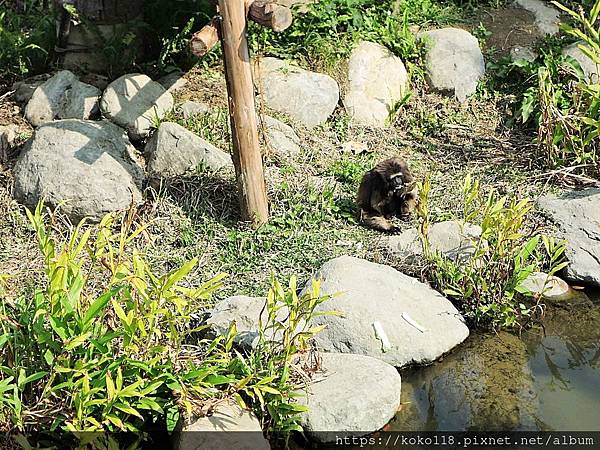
[549, 379]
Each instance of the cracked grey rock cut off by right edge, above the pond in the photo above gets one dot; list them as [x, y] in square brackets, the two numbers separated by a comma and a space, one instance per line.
[577, 215]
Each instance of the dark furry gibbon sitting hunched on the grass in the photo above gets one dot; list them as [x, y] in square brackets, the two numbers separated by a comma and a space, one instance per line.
[386, 191]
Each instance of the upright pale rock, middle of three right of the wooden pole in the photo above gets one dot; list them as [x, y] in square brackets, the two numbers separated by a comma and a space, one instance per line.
[377, 81]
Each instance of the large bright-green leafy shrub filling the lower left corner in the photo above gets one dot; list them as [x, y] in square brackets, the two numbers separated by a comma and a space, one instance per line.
[105, 345]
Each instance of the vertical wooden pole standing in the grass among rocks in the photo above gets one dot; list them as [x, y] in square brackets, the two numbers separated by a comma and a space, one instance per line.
[246, 151]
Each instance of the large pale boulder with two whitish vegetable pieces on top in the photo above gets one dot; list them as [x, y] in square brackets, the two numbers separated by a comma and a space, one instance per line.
[420, 324]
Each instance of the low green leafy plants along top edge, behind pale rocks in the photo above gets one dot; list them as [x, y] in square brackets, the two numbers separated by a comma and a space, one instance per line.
[326, 32]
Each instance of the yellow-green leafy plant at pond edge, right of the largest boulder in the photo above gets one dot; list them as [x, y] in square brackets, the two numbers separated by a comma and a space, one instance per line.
[488, 283]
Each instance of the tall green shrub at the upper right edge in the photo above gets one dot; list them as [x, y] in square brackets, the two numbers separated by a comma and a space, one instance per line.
[560, 100]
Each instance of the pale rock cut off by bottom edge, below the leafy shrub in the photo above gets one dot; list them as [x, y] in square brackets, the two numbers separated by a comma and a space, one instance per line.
[229, 427]
